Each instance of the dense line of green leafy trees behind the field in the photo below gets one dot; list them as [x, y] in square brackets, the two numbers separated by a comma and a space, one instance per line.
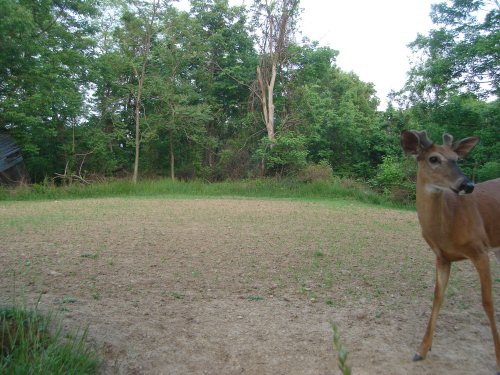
[114, 88]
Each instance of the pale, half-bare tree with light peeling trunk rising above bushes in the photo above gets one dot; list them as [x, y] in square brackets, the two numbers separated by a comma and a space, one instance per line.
[275, 20]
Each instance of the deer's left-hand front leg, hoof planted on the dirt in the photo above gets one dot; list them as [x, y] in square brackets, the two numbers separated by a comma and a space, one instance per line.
[443, 268]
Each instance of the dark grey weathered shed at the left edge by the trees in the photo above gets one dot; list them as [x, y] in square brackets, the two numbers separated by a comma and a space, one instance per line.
[12, 170]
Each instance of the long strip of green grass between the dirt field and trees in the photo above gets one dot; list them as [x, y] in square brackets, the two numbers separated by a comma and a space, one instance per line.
[256, 188]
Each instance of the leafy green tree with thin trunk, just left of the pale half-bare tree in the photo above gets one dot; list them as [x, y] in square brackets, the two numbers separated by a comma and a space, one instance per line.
[177, 109]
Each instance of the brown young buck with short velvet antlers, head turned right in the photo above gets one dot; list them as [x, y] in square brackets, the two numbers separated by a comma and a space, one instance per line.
[459, 220]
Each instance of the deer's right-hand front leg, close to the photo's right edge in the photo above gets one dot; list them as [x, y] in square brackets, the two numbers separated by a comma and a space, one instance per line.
[482, 264]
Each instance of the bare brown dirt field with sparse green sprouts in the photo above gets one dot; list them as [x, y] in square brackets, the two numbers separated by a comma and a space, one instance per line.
[234, 286]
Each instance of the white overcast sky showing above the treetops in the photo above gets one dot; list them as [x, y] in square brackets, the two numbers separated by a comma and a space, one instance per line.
[370, 35]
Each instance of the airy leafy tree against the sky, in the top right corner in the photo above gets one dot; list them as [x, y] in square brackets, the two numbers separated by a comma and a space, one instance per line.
[460, 55]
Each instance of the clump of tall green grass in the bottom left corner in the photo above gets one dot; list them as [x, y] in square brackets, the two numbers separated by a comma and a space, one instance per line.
[32, 343]
